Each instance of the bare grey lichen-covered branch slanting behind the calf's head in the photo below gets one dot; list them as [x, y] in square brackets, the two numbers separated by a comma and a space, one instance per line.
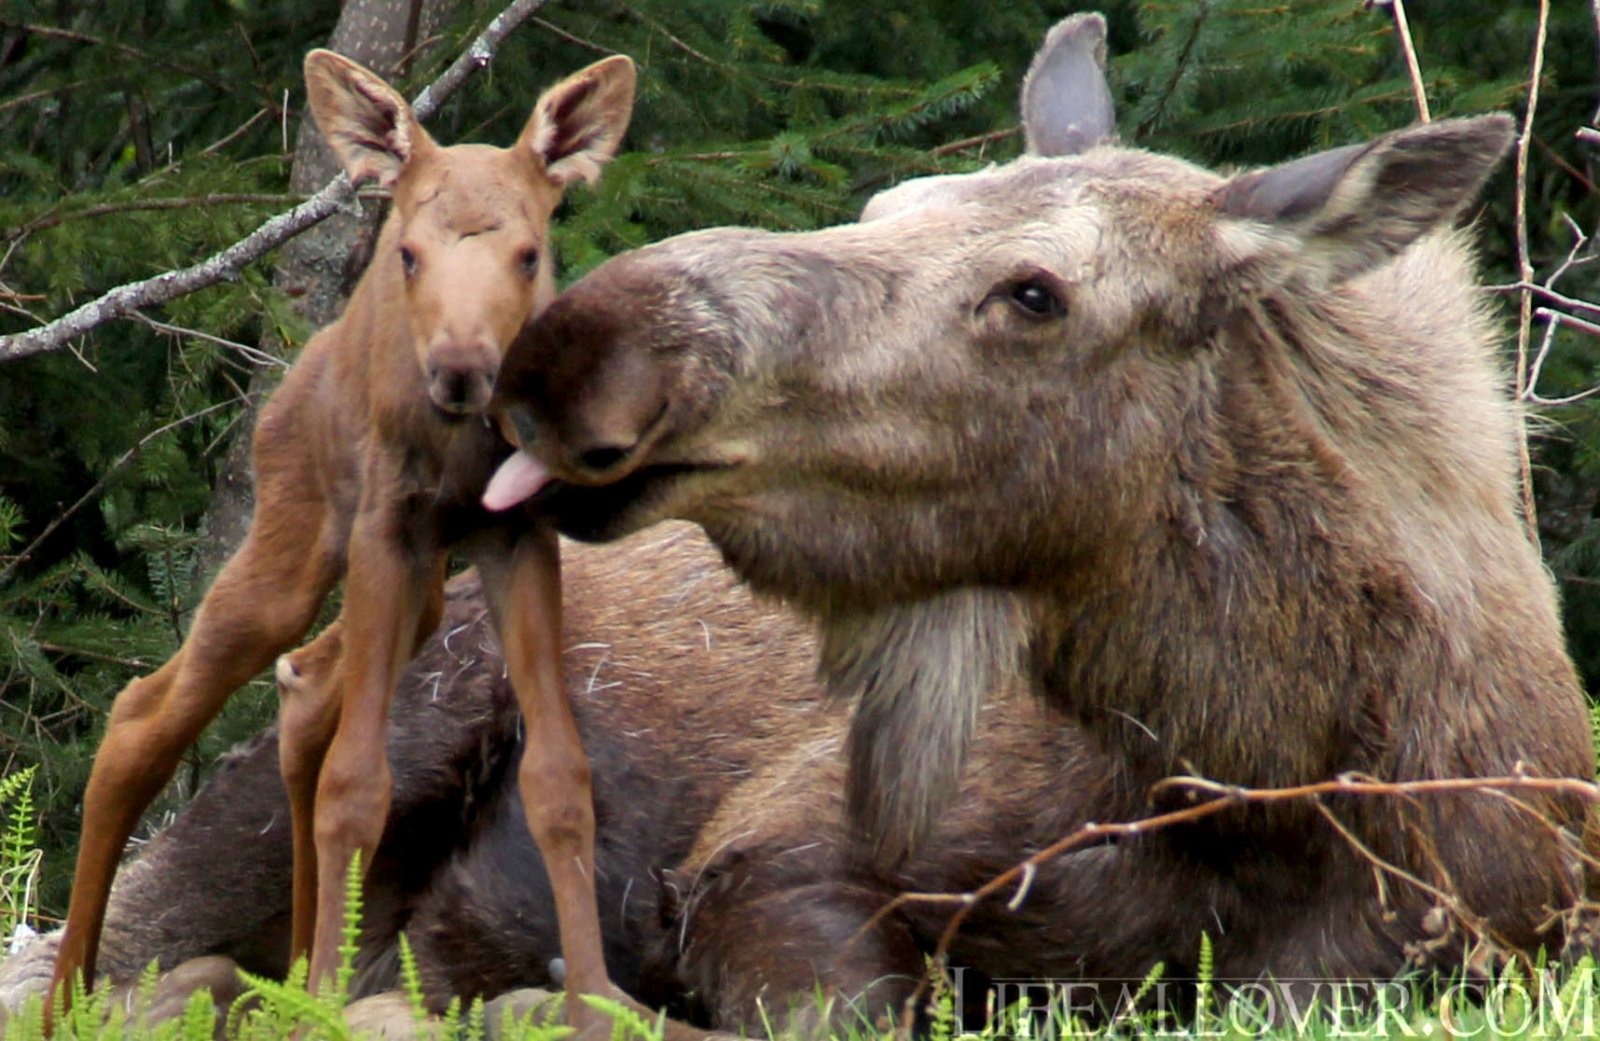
[332, 199]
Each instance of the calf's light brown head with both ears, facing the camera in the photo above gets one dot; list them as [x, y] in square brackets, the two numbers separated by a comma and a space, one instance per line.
[471, 221]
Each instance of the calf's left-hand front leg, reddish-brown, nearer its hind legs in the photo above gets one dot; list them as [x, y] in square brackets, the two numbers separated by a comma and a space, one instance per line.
[388, 596]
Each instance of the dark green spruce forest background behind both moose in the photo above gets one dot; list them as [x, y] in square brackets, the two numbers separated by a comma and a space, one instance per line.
[138, 137]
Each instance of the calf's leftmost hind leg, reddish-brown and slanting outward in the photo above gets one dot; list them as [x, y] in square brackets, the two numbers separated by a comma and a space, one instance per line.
[262, 604]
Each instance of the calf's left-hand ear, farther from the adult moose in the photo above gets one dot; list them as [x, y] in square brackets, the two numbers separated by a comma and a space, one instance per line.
[367, 124]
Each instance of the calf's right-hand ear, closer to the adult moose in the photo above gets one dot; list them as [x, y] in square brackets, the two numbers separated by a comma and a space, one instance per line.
[578, 126]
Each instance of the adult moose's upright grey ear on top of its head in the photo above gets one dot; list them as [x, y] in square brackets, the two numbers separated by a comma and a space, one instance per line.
[1066, 105]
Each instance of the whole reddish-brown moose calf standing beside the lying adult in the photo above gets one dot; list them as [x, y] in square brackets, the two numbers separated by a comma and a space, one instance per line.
[370, 460]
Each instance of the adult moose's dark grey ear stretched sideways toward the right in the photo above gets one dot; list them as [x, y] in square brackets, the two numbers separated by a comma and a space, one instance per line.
[1353, 209]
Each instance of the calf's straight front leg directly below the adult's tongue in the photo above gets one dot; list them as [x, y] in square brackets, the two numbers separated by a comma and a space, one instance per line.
[526, 594]
